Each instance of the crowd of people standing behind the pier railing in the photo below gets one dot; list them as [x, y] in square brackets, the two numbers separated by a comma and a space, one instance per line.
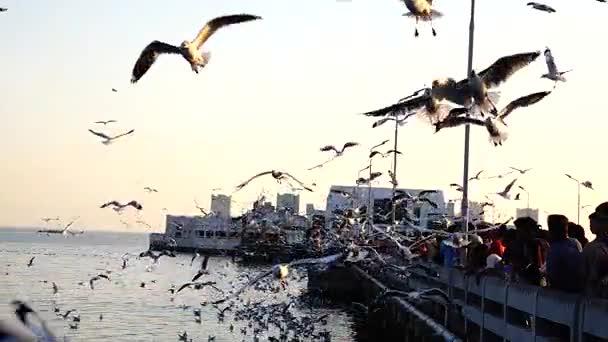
[560, 257]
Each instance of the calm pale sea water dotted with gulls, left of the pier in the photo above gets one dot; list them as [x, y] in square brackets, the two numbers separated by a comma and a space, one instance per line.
[130, 312]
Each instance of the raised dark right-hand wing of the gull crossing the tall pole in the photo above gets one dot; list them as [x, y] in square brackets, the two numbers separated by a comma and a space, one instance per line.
[505, 67]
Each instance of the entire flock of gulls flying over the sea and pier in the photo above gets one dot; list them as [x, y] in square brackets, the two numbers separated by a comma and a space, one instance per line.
[447, 103]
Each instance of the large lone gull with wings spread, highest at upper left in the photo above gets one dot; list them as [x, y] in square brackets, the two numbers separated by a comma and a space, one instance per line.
[188, 50]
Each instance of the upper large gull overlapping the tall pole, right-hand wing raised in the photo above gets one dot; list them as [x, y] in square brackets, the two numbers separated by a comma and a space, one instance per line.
[477, 85]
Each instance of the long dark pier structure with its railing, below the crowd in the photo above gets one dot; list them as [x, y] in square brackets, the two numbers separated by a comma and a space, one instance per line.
[488, 308]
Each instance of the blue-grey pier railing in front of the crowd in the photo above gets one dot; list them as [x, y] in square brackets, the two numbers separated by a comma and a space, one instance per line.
[519, 312]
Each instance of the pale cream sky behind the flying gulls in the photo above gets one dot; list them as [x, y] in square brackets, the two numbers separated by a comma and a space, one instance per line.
[274, 92]
